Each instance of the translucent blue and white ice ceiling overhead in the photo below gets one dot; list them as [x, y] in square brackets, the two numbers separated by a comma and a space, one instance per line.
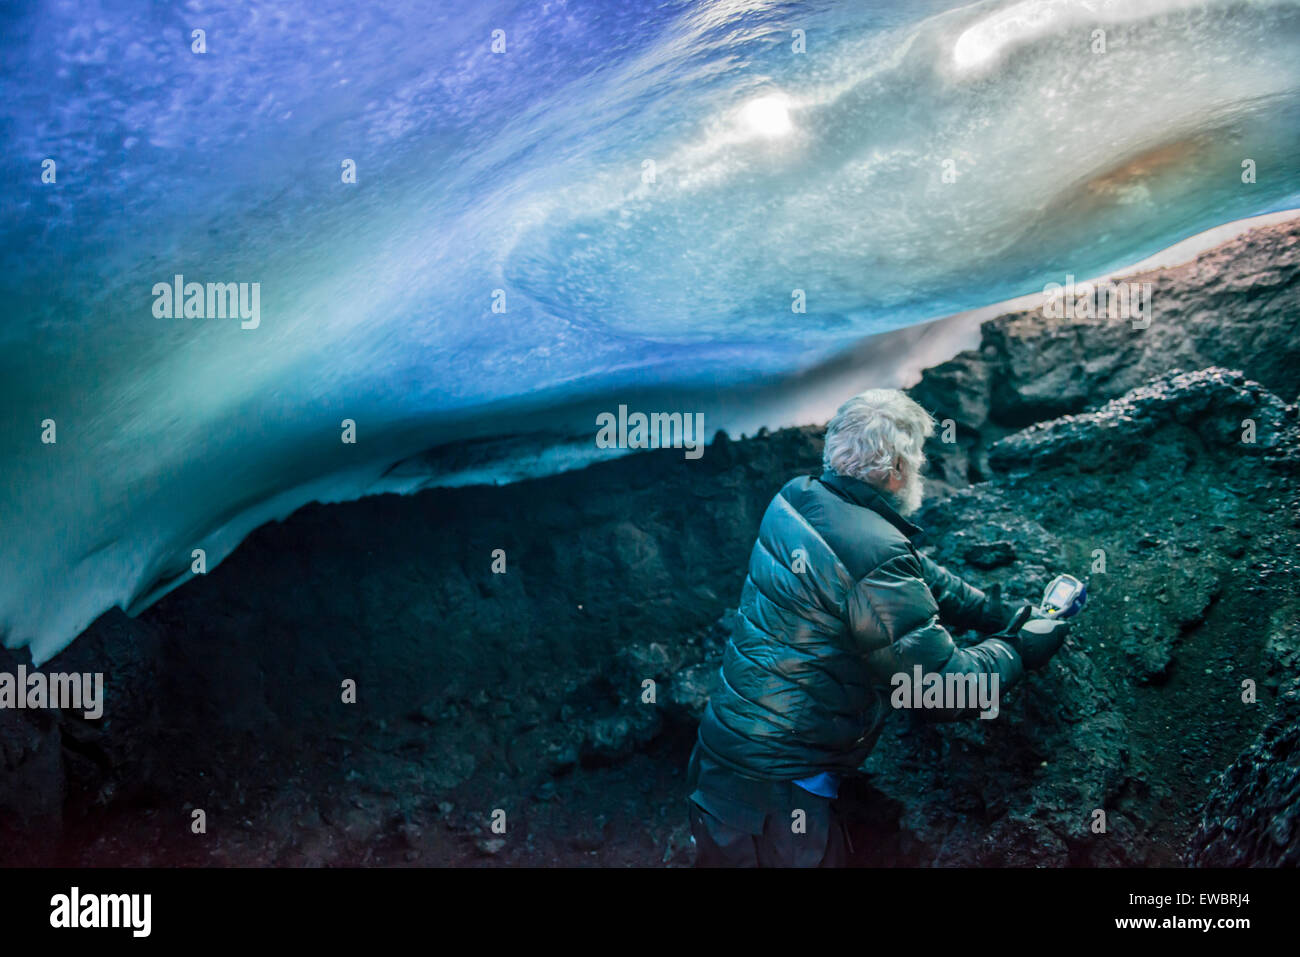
[643, 188]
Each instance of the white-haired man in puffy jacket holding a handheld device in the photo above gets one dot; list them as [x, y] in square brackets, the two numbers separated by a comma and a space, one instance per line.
[837, 607]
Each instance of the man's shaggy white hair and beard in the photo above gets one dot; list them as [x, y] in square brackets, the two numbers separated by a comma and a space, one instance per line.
[876, 432]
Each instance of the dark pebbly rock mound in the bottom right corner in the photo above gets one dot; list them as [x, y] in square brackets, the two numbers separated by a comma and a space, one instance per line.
[1253, 817]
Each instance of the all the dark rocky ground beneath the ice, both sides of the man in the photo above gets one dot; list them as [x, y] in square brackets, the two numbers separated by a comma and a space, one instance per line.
[1080, 448]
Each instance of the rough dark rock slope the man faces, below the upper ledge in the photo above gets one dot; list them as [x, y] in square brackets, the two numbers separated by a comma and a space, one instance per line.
[1139, 707]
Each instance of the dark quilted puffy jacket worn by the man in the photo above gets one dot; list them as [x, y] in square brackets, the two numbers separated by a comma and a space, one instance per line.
[837, 603]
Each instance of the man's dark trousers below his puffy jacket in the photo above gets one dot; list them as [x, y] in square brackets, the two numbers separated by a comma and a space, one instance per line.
[739, 822]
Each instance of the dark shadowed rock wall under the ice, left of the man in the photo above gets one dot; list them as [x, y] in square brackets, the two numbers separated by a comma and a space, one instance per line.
[474, 690]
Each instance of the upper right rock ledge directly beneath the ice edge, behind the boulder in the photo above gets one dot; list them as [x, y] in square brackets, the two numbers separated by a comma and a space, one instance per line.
[1232, 306]
